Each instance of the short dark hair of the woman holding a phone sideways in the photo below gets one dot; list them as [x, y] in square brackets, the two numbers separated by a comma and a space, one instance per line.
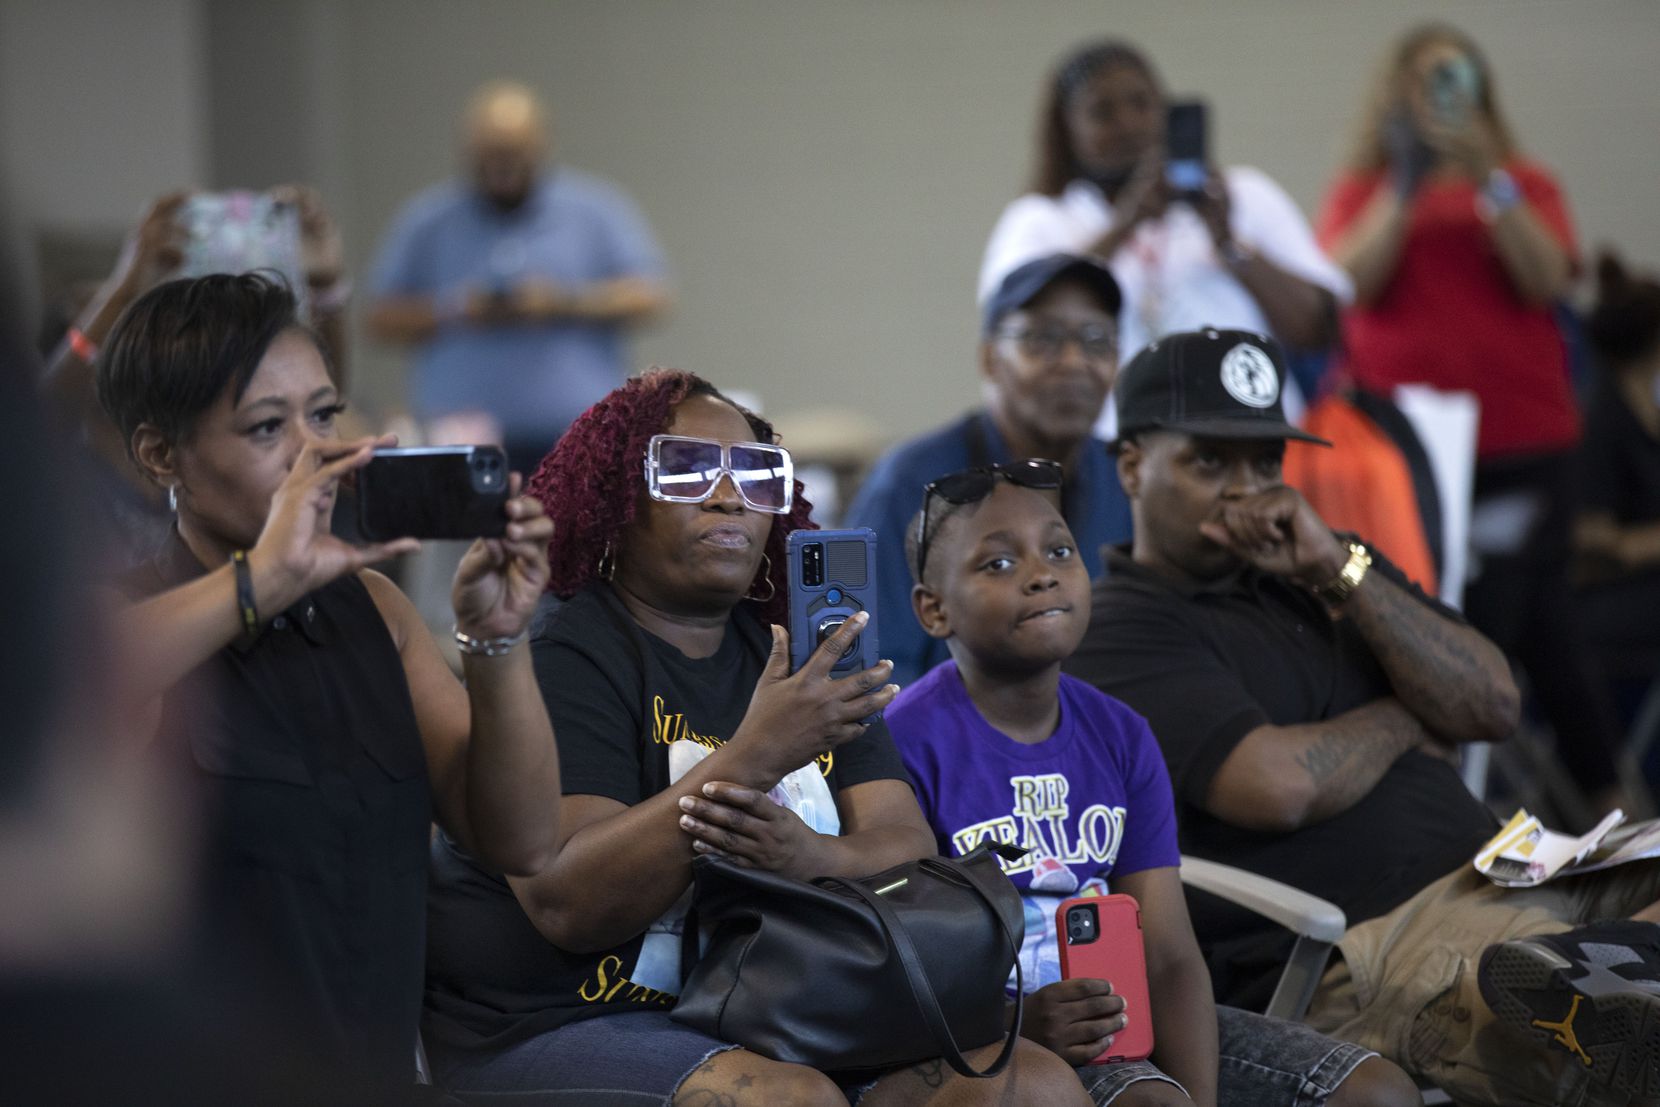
[178, 348]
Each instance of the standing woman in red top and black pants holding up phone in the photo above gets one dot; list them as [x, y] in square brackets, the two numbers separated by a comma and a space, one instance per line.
[1458, 248]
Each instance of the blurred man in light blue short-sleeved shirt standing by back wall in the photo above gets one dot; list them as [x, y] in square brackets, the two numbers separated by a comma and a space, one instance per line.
[515, 288]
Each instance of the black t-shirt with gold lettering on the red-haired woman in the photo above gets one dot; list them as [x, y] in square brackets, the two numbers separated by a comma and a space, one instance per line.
[617, 696]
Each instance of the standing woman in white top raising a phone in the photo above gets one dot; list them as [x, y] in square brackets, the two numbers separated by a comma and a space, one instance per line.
[1238, 255]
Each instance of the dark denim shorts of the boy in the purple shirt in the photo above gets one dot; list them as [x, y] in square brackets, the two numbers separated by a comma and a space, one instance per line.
[1262, 1063]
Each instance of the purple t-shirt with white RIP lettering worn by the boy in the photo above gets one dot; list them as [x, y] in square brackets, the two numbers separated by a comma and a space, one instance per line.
[1090, 801]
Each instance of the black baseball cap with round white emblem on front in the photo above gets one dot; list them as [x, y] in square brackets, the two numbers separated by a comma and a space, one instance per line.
[1214, 384]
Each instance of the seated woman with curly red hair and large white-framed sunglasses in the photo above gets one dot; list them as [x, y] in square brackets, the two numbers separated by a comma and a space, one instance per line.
[681, 733]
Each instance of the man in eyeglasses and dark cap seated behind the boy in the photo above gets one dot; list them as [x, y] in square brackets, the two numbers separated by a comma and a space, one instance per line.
[1048, 358]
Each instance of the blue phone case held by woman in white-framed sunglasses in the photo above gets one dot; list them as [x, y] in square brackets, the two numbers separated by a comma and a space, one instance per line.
[832, 577]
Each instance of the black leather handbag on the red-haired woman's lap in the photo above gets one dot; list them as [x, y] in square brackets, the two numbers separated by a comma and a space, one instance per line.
[857, 975]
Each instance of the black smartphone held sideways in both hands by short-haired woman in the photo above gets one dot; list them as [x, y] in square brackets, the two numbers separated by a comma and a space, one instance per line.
[434, 492]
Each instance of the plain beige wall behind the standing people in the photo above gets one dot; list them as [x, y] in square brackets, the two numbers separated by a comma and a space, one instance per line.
[824, 175]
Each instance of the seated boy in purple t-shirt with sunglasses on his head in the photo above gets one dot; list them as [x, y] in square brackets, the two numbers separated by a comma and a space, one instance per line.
[1002, 744]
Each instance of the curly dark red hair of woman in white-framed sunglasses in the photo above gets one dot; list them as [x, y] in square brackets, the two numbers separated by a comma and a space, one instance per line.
[592, 479]
